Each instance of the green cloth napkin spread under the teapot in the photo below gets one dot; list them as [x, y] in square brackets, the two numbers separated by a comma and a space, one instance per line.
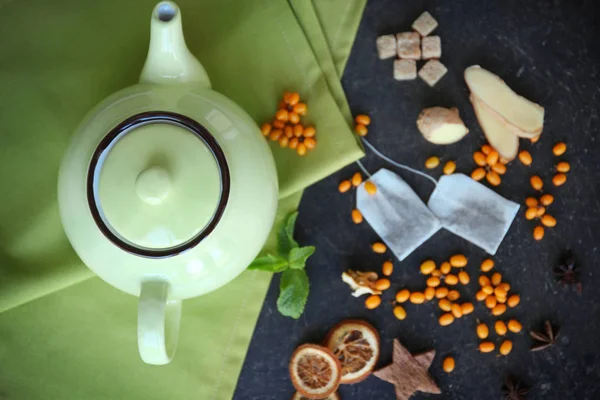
[59, 60]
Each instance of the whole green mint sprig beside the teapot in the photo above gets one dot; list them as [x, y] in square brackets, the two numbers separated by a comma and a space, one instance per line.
[290, 261]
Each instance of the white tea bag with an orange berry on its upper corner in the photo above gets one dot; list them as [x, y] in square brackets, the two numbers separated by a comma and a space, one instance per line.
[396, 213]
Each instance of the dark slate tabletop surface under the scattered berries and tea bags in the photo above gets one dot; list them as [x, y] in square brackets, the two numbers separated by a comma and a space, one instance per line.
[547, 51]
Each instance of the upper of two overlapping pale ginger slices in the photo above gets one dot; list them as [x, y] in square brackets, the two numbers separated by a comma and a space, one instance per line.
[515, 110]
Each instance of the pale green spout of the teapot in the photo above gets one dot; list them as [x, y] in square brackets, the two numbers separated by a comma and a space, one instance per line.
[169, 60]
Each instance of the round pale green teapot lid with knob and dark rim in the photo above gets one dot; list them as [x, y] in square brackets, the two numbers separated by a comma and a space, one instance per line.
[158, 183]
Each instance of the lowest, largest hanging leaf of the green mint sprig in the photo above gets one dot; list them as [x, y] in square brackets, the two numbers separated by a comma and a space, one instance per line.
[293, 292]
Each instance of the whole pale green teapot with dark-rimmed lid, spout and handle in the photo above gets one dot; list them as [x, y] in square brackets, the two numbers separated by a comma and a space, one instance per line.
[168, 189]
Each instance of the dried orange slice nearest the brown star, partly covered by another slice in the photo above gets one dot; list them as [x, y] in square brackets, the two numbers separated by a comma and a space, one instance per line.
[356, 345]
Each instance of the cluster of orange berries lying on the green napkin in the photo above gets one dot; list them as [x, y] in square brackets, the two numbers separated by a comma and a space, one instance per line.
[286, 127]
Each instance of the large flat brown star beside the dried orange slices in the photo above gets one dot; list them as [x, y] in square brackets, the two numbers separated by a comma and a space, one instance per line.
[408, 373]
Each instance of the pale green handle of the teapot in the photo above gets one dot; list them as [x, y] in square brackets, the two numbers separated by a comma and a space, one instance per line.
[158, 322]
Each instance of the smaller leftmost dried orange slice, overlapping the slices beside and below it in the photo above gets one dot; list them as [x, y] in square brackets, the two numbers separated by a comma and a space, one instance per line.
[315, 371]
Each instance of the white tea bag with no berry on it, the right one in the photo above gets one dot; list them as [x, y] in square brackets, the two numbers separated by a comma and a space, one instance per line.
[472, 211]
